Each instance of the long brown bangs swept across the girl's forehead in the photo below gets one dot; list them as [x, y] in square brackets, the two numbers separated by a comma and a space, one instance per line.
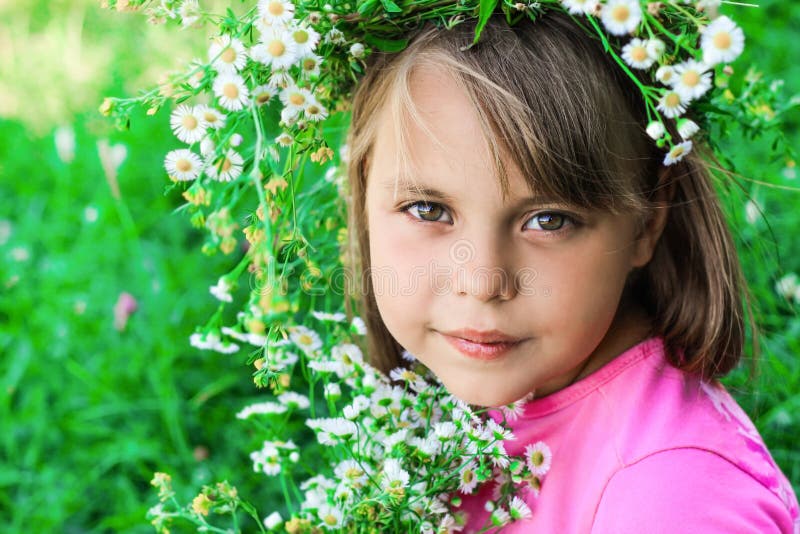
[555, 116]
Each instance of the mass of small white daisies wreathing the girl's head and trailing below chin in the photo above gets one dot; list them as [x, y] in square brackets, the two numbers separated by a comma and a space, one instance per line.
[252, 115]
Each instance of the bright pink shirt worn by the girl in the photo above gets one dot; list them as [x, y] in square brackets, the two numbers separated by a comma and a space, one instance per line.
[639, 446]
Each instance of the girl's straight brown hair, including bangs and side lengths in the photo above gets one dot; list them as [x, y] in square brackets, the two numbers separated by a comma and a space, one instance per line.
[549, 98]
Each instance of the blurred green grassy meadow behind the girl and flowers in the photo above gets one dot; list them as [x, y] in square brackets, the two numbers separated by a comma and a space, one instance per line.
[101, 282]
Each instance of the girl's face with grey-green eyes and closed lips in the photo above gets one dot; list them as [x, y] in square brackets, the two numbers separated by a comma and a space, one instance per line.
[548, 275]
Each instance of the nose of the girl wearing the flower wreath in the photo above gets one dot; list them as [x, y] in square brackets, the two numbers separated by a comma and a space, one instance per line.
[481, 269]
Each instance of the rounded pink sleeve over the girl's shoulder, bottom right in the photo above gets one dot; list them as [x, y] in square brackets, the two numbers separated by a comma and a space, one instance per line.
[693, 488]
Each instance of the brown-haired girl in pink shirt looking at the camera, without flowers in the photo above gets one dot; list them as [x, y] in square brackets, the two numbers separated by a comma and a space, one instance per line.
[521, 237]
